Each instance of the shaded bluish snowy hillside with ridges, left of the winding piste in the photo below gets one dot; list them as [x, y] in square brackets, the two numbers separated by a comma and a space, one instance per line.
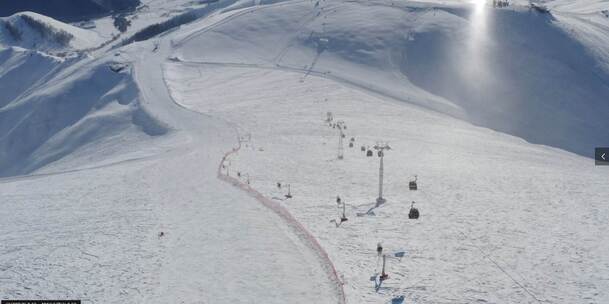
[54, 107]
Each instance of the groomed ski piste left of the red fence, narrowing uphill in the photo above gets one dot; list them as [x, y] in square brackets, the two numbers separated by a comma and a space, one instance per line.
[94, 234]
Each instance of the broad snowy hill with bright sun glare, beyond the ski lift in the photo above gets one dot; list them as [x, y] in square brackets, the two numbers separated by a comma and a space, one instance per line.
[484, 66]
